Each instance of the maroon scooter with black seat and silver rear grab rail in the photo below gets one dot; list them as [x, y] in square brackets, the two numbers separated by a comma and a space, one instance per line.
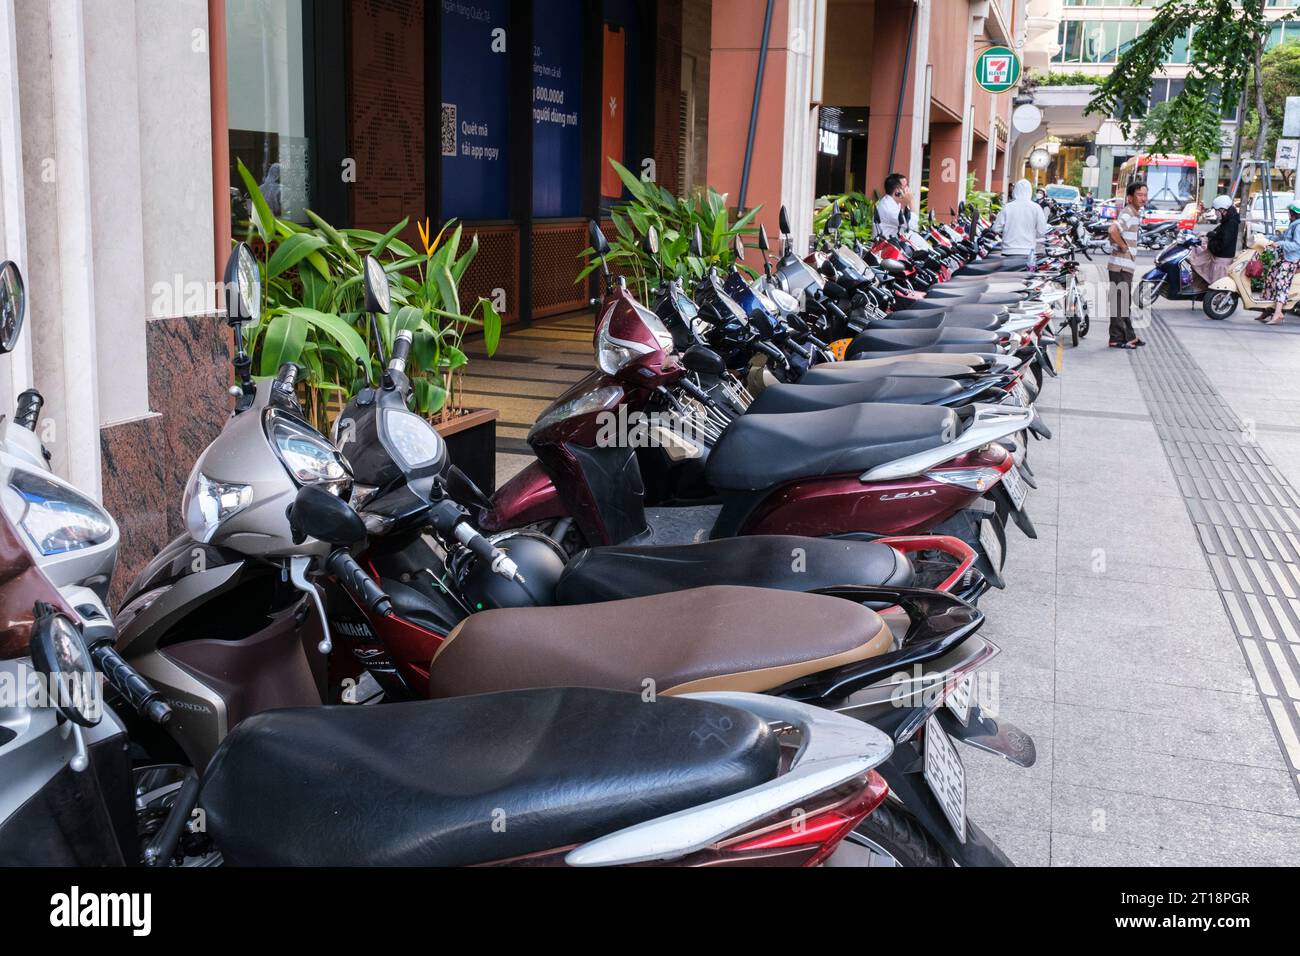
[860, 471]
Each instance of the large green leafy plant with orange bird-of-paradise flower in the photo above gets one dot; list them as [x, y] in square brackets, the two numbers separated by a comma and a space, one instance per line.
[314, 308]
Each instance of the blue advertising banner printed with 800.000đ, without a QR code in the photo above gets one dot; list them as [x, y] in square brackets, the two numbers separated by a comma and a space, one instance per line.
[557, 109]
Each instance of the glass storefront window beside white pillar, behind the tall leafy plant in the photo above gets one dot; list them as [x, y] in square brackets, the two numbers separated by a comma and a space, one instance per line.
[268, 62]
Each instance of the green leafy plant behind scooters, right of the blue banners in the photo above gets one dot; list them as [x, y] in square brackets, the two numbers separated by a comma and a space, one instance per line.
[675, 220]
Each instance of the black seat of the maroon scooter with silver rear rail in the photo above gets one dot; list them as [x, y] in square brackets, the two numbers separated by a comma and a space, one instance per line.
[760, 452]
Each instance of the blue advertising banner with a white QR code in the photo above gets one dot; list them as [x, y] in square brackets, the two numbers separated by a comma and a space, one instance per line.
[475, 129]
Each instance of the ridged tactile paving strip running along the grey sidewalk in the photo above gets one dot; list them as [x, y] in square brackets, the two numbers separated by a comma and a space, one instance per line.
[1247, 518]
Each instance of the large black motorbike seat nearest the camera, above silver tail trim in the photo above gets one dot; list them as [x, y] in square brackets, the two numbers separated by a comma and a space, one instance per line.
[424, 784]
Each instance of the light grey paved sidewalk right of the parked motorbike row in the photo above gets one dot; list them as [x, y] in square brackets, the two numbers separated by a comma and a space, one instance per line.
[1154, 663]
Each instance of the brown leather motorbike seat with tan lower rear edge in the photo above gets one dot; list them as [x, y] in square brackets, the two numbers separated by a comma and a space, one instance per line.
[705, 639]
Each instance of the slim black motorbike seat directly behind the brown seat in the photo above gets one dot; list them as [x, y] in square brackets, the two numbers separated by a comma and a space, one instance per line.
[760, 561]
